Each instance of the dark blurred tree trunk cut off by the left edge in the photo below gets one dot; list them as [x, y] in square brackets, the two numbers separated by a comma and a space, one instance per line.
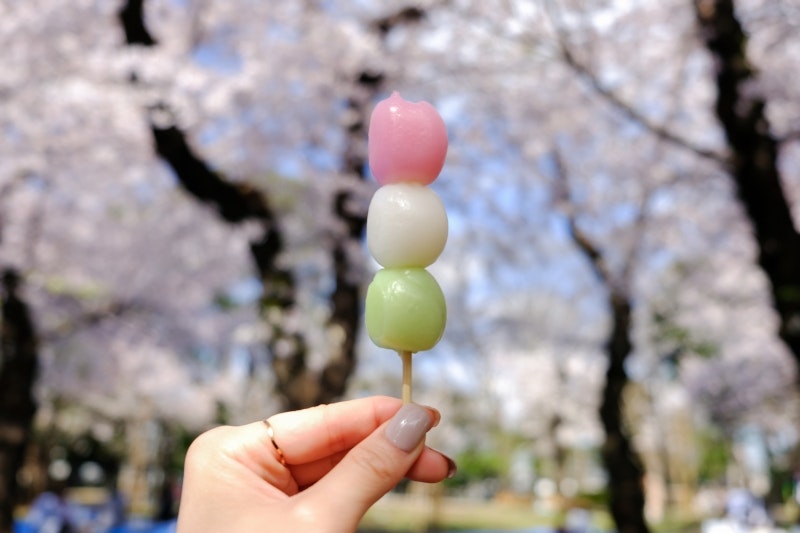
[18, 369]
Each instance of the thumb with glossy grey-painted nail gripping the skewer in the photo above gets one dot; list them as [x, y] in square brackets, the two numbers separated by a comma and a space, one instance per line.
[374, 466]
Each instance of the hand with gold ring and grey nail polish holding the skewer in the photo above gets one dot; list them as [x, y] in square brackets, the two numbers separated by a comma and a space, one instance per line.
[339, 460]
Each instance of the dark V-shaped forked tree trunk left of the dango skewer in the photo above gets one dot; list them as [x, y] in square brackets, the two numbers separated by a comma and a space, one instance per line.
[298, 385]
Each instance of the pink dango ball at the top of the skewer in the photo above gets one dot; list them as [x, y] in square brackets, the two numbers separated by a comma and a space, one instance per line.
[407, 141]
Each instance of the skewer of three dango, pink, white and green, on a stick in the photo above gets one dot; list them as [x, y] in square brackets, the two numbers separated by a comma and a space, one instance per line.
[406, 229]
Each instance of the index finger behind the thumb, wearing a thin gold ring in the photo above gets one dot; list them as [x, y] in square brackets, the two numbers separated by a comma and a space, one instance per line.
[318, 432]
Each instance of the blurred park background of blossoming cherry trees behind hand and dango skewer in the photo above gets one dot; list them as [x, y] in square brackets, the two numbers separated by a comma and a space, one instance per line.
[183, 191]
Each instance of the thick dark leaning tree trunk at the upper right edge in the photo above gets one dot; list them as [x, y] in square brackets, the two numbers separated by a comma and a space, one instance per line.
[753, 161]
